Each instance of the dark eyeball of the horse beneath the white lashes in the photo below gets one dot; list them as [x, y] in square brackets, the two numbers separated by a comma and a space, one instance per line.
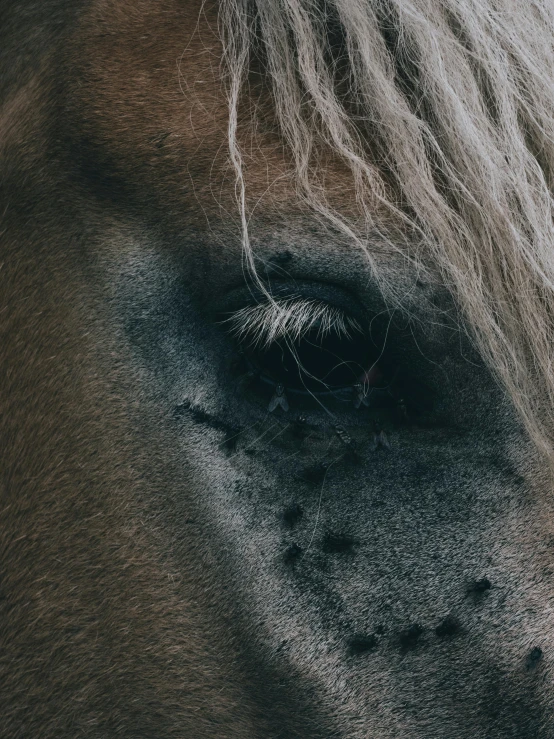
[317, 363]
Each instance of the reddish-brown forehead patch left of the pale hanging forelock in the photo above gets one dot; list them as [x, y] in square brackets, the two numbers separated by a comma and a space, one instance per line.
[149, 78]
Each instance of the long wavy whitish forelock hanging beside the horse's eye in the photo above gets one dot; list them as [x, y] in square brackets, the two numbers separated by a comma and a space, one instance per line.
[443, 111]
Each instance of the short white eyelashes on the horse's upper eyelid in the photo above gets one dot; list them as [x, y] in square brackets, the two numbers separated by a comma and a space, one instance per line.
[290, 319]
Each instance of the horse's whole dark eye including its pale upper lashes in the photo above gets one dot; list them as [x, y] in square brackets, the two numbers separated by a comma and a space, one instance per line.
[314, 356]
